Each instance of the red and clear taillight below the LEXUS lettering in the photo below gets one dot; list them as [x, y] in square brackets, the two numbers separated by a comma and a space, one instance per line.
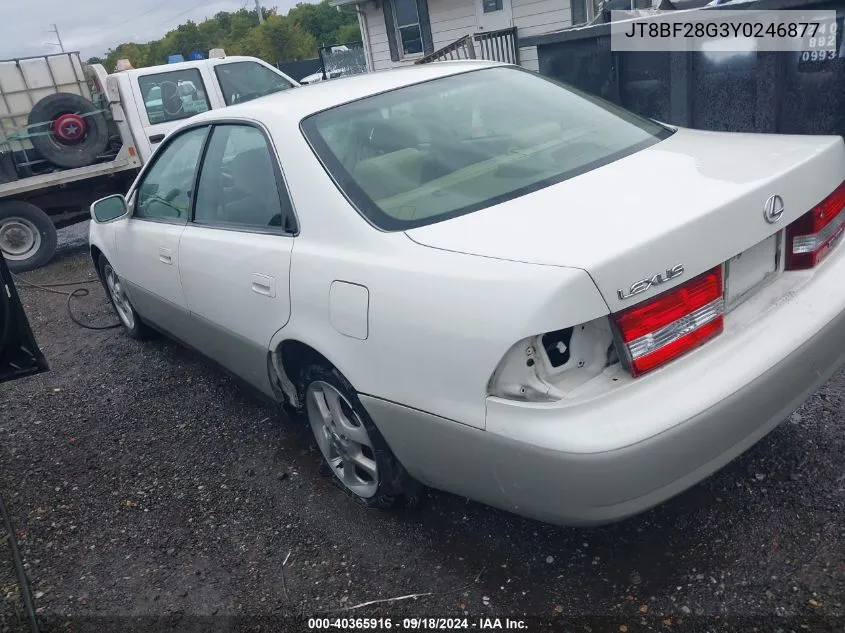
[672, 323]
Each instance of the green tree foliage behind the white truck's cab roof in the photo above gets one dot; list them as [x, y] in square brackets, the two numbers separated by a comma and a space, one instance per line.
[296, 35]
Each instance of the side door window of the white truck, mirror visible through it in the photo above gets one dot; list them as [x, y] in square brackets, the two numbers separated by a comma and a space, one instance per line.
[173, 95]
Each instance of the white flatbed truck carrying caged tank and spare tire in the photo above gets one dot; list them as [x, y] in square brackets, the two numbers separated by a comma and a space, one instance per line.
[71, 133]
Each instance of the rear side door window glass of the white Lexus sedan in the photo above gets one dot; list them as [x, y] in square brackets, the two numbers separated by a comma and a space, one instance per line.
[238, 185]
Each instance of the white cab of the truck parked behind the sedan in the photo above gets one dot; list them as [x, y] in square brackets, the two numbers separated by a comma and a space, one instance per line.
[154, 100]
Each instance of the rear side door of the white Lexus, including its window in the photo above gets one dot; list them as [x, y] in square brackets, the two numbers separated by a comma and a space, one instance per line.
[234, 256]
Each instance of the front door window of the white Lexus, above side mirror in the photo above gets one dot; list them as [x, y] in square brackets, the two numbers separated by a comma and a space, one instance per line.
[165, 191]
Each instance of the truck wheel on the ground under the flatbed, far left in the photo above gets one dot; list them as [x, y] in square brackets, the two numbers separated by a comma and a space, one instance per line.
[27, 236]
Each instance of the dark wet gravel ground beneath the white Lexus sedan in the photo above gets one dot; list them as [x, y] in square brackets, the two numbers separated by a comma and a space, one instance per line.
[145, 483]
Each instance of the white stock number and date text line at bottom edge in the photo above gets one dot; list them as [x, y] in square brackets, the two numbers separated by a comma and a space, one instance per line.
[416, 624]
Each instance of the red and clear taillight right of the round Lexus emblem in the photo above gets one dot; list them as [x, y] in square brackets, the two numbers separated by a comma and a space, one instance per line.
[812, 236]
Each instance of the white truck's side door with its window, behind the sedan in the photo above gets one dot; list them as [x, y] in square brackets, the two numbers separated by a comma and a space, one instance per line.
[166, 97]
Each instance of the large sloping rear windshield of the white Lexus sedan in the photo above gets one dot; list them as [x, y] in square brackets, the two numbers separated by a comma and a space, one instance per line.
[432, 151]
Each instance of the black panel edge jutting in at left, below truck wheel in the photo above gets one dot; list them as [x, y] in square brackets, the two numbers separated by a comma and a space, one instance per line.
[19, 353]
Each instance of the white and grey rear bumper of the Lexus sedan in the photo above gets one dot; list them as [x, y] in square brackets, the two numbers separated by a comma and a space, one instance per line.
[617, 455]
